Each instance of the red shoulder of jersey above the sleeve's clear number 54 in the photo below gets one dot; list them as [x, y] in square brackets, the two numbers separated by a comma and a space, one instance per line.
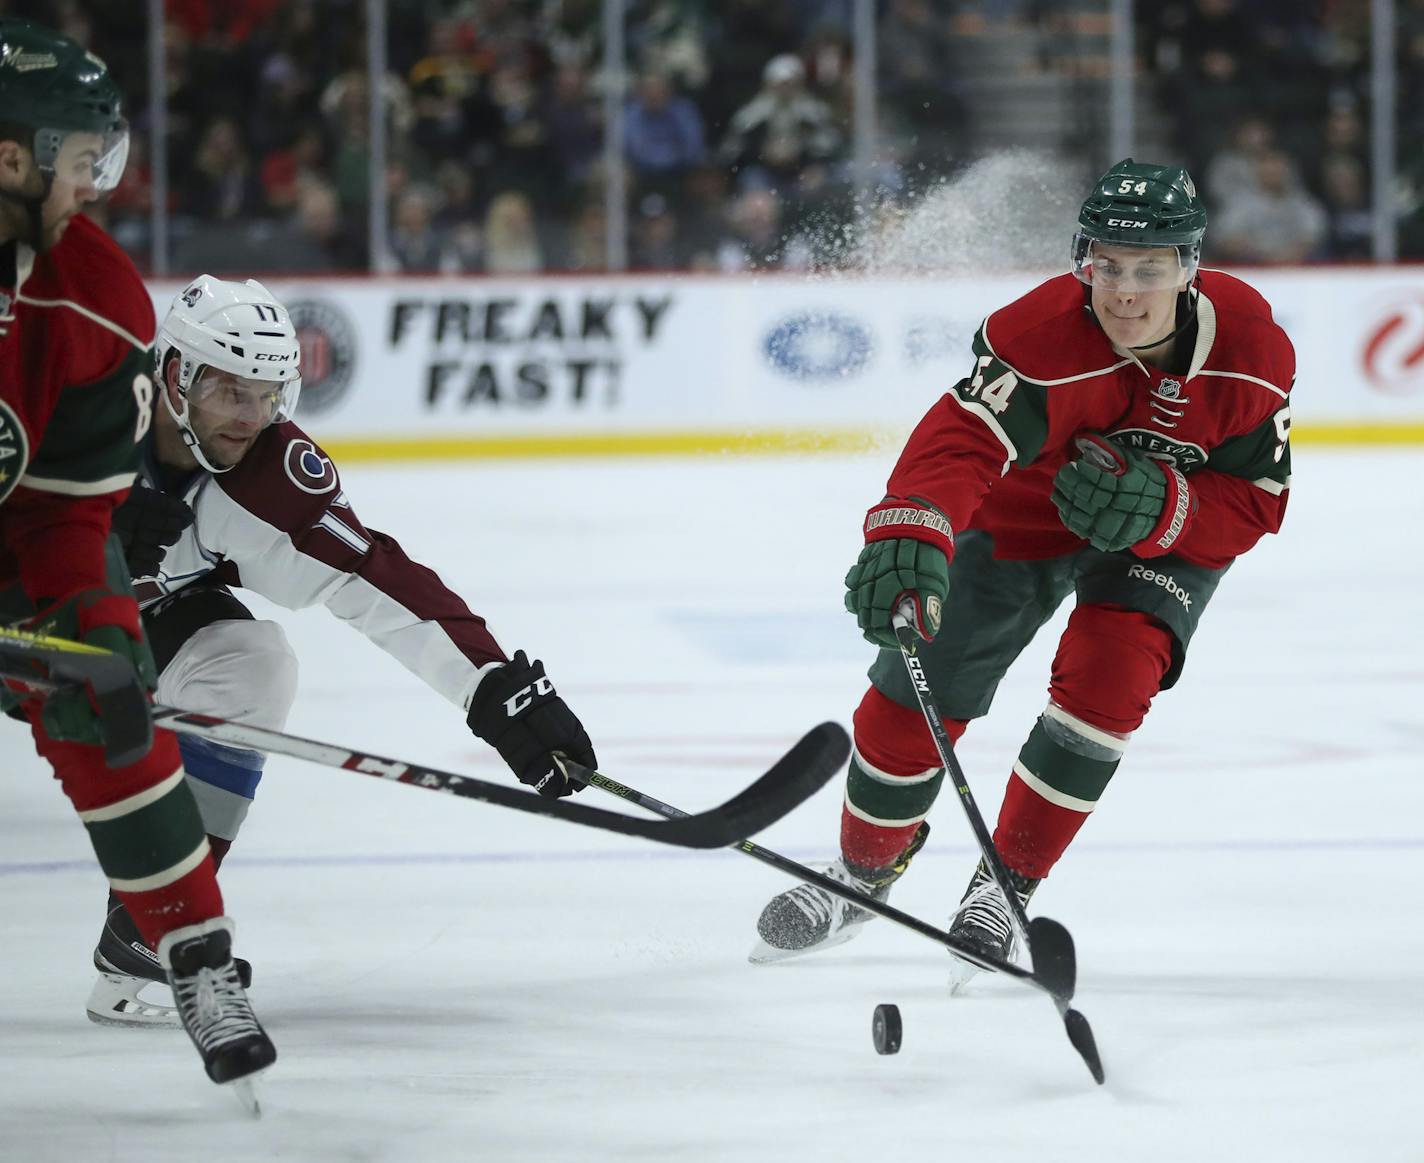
[1047, 335]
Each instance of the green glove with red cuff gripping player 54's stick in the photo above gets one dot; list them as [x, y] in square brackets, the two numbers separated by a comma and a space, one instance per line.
[908, 553]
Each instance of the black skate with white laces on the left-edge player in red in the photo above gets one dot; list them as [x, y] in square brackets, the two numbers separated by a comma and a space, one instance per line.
[213, 1004]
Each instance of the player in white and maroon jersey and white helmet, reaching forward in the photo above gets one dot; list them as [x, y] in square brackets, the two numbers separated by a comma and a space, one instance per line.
[240, 498]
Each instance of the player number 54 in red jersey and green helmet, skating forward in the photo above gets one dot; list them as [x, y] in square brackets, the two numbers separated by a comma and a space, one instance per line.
[1123, 436]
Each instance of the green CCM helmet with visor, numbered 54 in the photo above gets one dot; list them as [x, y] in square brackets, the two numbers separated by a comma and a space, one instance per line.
[1146, 207]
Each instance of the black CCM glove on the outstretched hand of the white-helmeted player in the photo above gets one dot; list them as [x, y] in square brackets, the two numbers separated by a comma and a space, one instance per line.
[519, 714]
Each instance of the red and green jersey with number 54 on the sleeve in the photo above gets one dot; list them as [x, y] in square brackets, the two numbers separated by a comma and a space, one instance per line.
[988, 452]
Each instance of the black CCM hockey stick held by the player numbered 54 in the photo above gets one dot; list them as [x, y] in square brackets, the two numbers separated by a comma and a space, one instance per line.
[1042, 957]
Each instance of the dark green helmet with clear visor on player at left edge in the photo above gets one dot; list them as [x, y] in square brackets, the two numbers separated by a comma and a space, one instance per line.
[55, 89]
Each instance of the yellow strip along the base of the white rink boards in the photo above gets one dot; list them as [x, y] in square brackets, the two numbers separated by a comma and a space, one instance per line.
[737, 443]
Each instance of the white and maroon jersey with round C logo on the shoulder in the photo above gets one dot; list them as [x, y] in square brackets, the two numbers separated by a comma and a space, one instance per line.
[280, 526]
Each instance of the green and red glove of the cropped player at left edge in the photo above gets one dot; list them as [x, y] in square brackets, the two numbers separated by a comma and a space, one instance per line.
[100, 619]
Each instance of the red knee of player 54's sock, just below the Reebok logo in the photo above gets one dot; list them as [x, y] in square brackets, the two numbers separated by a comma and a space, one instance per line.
[1110, 667]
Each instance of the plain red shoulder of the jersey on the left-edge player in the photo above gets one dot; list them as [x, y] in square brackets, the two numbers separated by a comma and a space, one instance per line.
[95, 274]
